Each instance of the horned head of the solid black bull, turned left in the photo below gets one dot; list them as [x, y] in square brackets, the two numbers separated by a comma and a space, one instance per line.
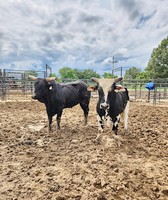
[42, 87]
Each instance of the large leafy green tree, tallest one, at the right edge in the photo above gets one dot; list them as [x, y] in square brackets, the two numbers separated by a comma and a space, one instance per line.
[158, 63]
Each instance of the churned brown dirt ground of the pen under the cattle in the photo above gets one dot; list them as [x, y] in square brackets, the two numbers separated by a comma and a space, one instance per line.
[68, 164]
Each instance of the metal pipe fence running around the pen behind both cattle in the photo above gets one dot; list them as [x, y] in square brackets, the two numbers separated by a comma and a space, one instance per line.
[15, 85]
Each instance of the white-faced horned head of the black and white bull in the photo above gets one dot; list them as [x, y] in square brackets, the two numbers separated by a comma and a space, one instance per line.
[105, 88]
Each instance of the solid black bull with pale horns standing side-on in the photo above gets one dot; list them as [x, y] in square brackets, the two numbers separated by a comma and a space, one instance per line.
[57, 96]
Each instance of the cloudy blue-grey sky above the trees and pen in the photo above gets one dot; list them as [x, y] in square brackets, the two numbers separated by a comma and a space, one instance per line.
[83, 34]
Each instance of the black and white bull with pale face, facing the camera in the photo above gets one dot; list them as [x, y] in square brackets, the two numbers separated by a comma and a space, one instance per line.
[113, 101]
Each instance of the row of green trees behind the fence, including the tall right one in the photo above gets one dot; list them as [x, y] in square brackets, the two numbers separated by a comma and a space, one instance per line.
[157, 67]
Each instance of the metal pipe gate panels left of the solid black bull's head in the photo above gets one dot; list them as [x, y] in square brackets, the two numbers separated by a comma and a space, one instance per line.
[15, 85]
